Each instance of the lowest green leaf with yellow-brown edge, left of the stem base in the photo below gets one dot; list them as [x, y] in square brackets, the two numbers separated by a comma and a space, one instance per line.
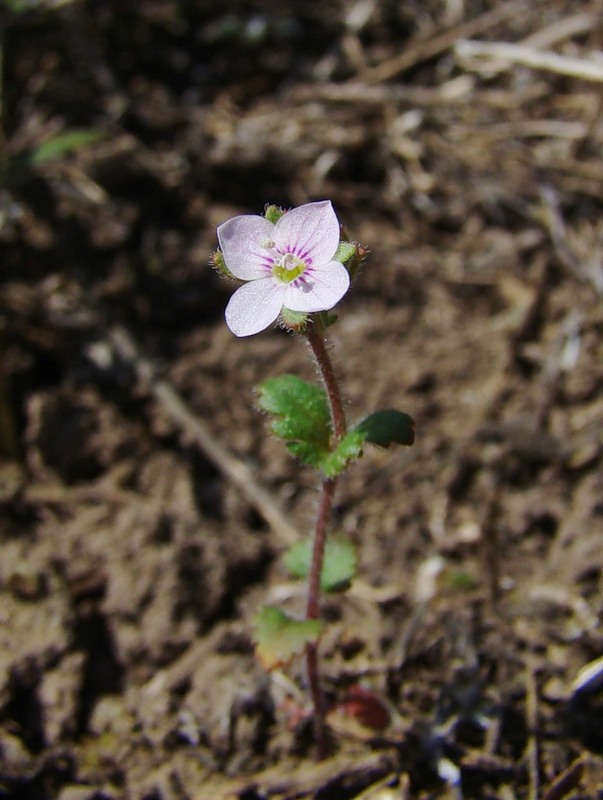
[279, 637]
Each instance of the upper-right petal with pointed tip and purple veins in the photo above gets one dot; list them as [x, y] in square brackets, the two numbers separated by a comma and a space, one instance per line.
[310, 231]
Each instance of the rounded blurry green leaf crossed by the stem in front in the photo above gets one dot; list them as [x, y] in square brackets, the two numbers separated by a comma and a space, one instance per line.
[339, 565]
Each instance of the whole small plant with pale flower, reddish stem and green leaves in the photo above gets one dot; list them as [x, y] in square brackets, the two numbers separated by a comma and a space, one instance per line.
[296, 266]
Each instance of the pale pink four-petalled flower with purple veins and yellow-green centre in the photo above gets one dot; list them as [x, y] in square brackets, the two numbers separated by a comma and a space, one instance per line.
[288, 264]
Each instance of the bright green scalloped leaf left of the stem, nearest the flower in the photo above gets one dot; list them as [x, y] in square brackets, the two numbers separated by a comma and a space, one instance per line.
[300, 409]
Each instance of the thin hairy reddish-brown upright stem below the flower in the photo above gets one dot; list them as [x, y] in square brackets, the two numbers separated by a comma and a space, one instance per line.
[317, 342]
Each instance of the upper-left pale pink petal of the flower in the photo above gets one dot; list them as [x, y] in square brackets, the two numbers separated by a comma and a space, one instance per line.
[240, 240]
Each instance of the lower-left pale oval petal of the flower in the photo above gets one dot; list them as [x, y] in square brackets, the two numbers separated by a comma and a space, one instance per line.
[255, 306]
